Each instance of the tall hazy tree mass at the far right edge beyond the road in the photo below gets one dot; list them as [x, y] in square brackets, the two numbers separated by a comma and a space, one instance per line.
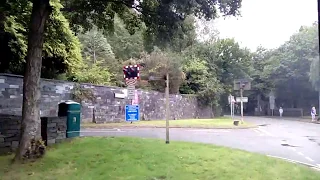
[289, 68]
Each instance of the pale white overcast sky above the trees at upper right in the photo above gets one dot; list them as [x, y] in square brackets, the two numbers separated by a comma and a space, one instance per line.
[267, 22]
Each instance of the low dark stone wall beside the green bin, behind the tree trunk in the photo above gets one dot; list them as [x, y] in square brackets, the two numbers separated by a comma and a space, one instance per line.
[53, 130]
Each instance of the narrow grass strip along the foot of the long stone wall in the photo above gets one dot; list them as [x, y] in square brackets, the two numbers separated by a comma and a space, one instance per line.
[190, 123]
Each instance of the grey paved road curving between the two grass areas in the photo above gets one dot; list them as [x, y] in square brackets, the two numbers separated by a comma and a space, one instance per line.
[294, 140]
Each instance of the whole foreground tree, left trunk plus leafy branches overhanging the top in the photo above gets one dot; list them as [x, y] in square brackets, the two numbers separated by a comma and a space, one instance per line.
[161, 18]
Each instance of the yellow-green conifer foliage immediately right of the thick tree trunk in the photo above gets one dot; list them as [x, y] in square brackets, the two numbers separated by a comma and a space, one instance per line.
[62, 49]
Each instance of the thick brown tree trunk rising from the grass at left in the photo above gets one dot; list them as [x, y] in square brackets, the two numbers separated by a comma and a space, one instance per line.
[31, 124]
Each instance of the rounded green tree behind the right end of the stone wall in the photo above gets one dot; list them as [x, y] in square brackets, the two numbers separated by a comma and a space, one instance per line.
[218, 62]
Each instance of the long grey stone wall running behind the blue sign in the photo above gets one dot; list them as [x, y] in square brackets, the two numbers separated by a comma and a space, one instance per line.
[106, 107]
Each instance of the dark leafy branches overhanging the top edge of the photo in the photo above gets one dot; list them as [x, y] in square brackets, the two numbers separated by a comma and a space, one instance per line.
[164, 20]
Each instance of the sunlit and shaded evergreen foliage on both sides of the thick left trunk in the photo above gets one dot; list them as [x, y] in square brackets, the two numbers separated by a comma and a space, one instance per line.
[61, 51]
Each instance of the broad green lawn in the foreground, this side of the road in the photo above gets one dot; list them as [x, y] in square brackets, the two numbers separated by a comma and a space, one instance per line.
[149, 159]
